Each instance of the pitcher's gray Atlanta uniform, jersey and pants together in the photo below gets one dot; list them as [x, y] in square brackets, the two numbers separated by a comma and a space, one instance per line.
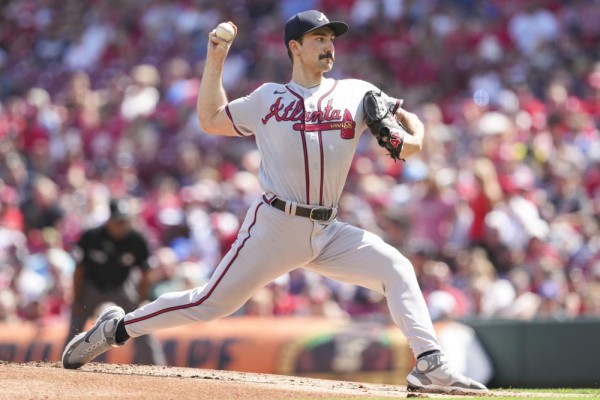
[307, 138]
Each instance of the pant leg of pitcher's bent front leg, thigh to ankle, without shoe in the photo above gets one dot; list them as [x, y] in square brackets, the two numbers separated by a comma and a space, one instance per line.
[362, 258]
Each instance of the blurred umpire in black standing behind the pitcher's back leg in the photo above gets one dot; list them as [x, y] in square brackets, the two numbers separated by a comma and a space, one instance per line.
[113, 266]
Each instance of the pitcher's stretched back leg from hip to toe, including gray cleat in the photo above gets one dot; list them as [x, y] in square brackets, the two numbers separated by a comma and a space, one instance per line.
[269, 244]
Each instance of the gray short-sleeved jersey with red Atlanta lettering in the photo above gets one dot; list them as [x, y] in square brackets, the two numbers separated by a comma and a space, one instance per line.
[307, 137]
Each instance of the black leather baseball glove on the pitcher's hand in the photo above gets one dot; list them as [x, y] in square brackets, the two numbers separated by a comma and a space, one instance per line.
[383, 124]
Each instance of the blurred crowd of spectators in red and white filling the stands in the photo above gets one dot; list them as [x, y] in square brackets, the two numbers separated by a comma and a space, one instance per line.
[499, 214]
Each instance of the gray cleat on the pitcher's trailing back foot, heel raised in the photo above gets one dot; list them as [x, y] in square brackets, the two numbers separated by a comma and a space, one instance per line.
[86, 346]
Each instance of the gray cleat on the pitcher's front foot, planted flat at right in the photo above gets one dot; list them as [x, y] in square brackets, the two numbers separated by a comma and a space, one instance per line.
[433, 374]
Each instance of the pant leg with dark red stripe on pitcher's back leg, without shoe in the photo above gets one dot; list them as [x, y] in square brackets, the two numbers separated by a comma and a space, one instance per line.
[265, 250]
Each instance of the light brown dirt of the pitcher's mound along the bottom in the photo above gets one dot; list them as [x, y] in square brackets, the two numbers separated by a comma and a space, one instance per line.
[49, 381]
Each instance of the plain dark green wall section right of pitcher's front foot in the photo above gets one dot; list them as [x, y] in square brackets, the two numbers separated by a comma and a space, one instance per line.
[543, 353]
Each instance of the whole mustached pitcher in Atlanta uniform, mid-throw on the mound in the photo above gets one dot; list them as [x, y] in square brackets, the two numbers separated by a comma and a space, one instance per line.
[307, 131]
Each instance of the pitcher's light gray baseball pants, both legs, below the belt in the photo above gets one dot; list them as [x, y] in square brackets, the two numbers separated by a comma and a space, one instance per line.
[271, 243]
